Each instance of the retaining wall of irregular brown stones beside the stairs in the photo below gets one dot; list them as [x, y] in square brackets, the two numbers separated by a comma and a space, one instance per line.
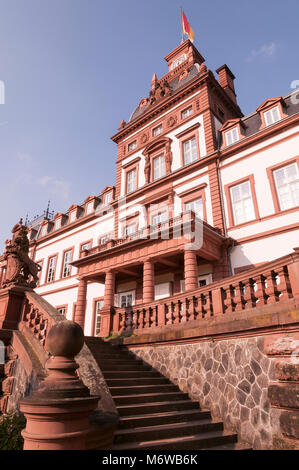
[230, 378]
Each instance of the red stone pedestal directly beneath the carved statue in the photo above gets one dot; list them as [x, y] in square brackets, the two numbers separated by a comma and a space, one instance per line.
[11, 303]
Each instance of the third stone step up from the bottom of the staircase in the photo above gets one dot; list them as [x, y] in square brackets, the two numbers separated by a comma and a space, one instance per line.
[162, 418]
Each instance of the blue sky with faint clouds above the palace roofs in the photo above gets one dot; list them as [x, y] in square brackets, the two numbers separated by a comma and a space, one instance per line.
[73, 69]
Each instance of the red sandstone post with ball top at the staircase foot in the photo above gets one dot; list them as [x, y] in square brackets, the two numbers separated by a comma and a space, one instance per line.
[58, 412]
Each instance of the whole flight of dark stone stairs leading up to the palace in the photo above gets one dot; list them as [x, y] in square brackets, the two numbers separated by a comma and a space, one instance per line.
[154, 413]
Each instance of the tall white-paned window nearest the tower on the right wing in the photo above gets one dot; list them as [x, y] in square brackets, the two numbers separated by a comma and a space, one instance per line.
[242, 203]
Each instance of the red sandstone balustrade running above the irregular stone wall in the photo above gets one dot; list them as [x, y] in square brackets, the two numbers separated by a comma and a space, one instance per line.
[271, 283]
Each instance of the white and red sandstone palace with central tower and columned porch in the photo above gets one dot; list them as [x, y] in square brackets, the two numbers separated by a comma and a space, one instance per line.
[186, 158]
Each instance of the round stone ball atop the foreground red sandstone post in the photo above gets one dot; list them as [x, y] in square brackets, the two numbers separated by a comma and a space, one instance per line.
[66, 338]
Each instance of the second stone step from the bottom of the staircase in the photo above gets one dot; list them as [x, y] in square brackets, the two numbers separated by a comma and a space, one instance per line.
[166, 431]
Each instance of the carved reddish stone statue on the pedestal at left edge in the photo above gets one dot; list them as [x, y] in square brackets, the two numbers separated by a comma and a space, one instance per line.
[19, 266]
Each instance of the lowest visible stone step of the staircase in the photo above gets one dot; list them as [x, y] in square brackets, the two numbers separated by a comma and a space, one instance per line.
[197, 441]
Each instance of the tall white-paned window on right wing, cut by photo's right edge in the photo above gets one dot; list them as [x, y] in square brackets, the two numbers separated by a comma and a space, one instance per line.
[287, 186]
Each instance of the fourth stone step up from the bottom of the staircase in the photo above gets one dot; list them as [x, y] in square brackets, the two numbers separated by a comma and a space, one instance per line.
[137, 409]
